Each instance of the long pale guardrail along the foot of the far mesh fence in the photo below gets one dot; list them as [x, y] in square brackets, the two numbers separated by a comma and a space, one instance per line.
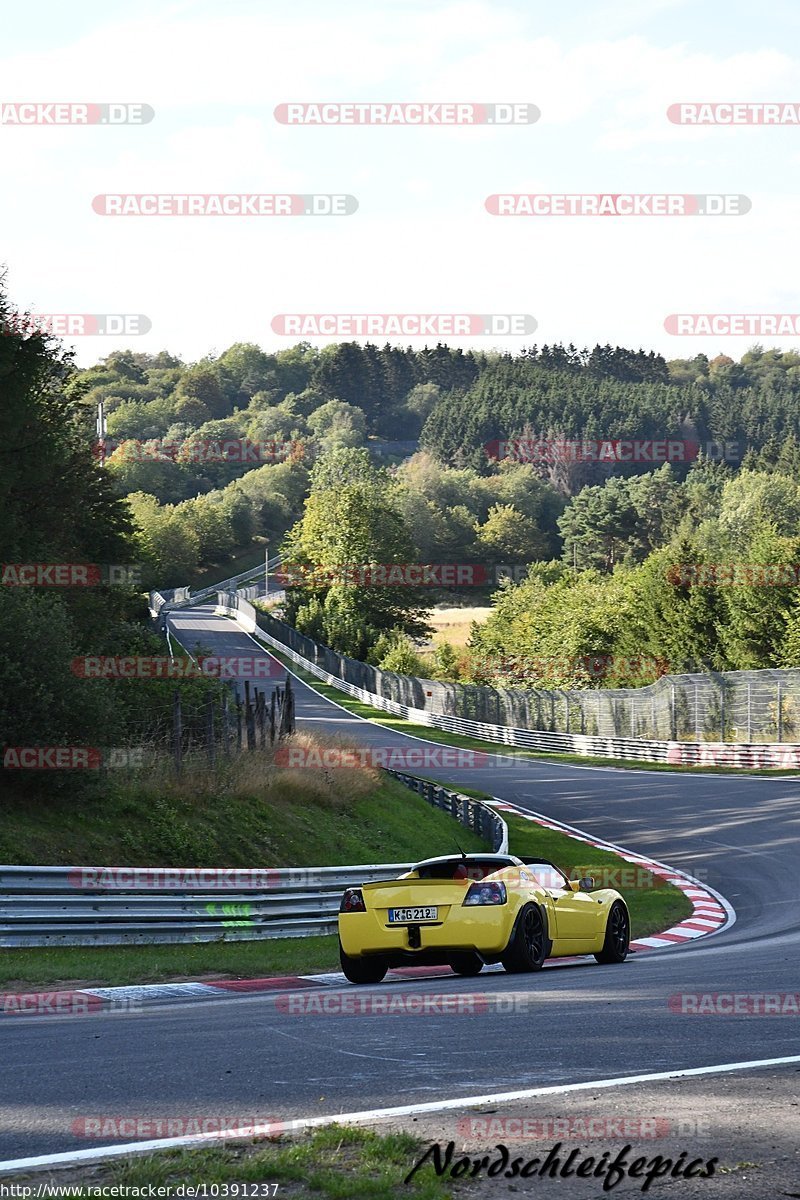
[745, 755]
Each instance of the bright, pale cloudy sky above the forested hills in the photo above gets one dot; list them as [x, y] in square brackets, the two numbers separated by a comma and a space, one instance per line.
[603, 75]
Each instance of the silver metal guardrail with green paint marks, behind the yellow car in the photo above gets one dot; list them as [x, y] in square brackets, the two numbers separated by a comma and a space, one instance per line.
[116, 905]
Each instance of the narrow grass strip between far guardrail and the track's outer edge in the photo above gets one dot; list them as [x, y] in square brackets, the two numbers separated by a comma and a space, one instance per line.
[458, 740]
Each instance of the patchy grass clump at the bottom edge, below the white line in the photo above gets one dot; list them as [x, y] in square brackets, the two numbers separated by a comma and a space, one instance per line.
[335, 1163]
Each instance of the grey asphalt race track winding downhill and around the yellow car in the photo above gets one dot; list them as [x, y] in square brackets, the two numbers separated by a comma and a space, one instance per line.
[250, 1058]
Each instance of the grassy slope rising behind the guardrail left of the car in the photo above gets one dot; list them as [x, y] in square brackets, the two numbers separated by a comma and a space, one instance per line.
[279, 821]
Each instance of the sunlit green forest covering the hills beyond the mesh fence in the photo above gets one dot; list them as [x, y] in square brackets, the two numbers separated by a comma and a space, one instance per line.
[203, 461]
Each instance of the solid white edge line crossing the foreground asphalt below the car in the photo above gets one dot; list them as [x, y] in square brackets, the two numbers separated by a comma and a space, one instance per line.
[100, 1154]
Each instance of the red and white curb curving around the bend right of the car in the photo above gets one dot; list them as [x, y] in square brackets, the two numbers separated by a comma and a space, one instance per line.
[711, 913]
